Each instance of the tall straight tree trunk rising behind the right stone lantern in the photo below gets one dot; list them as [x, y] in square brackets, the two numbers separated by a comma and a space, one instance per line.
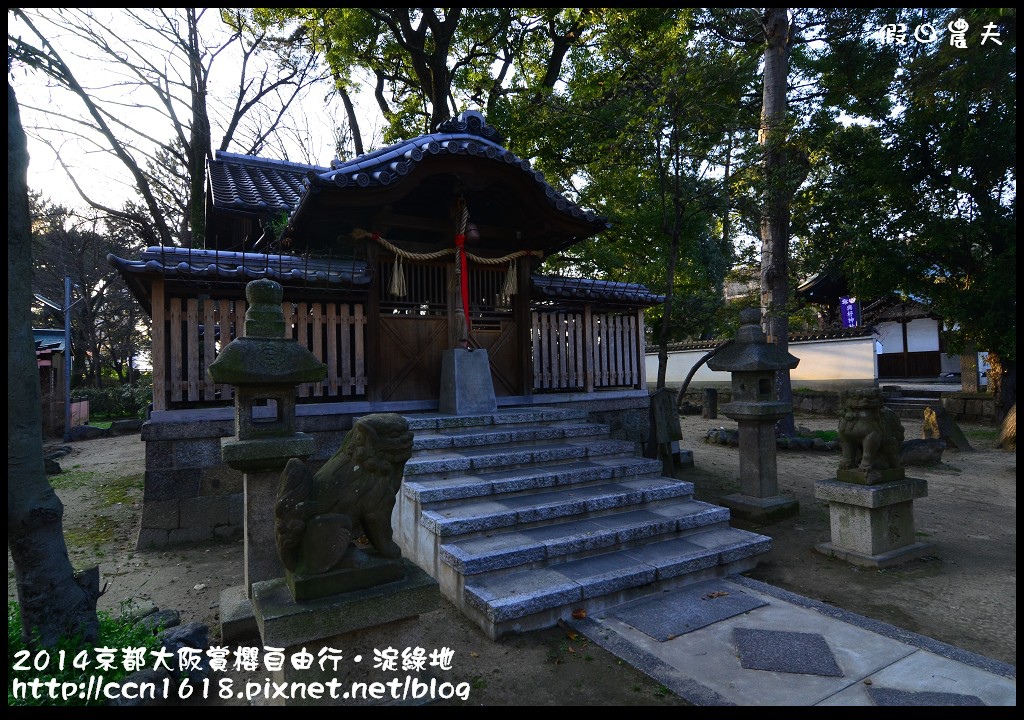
[776, 214]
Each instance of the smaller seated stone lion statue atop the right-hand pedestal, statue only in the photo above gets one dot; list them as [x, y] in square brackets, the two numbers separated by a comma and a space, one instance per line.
[870, 434]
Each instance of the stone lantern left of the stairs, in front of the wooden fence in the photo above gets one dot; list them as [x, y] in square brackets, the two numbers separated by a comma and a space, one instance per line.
[266, 368]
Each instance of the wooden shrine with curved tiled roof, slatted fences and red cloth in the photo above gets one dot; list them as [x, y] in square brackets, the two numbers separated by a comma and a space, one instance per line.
[387, 262]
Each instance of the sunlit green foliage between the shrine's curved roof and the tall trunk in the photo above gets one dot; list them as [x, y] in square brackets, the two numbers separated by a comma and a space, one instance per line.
[658, 106]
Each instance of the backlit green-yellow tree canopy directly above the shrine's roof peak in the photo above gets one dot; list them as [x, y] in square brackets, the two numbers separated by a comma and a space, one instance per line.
[426, 65]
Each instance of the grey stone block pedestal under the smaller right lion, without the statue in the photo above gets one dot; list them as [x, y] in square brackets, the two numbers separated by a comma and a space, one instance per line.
[873, 526]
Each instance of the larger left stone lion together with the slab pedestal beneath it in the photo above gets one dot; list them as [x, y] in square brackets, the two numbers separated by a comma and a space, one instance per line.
[344, 571]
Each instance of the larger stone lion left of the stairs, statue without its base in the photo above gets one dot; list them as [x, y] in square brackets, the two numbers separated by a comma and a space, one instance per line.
[354, 494]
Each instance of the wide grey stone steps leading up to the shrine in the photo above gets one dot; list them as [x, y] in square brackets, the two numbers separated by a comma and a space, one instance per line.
[527, 516]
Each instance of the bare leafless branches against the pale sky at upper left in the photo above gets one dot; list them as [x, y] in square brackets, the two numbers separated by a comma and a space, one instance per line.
[158, 119]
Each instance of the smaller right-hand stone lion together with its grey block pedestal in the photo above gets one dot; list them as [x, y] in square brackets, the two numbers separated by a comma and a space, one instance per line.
[871, 502]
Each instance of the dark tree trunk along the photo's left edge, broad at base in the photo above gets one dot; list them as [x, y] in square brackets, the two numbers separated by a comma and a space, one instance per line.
[55, 602]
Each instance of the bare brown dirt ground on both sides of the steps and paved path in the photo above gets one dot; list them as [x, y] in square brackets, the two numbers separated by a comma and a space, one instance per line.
[963, 594]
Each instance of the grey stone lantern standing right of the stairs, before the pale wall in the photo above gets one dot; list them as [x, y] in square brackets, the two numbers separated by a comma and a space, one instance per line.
[756, 408]
